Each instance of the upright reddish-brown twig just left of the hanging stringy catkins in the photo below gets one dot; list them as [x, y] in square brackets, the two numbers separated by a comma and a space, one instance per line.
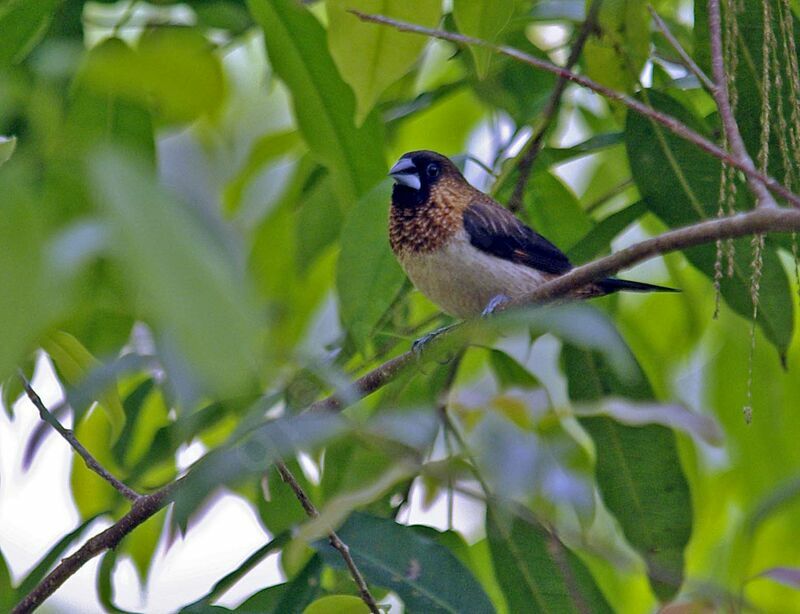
[720, 91]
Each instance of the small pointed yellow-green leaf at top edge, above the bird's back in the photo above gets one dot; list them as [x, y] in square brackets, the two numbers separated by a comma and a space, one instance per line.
[484, 19]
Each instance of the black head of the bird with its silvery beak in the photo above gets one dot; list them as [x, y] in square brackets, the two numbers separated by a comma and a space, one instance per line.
[417, 173]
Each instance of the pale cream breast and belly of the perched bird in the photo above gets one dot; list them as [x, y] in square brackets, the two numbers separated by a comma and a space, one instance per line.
[462, 279]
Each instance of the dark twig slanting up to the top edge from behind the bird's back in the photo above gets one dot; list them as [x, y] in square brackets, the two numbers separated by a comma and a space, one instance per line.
[551, 109]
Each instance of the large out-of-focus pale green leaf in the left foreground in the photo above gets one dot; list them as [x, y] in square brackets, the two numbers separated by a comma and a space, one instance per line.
[192, 288]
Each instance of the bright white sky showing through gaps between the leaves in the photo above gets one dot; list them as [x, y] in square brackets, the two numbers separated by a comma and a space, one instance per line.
[36, 507]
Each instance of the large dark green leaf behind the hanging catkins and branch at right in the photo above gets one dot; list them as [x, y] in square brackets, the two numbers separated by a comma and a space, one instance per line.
[680, 184]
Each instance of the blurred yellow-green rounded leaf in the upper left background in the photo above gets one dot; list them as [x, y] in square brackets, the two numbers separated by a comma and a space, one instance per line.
[174, 70]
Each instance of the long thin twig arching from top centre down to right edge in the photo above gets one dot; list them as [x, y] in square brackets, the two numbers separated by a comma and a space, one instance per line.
[672, 124]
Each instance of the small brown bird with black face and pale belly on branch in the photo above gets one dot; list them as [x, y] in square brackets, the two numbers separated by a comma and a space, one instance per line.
[466, 252]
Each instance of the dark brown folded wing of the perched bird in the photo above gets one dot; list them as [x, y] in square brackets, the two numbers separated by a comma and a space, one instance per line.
[498, 232]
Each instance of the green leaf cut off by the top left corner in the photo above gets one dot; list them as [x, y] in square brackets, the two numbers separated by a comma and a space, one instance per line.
[23, 24]
